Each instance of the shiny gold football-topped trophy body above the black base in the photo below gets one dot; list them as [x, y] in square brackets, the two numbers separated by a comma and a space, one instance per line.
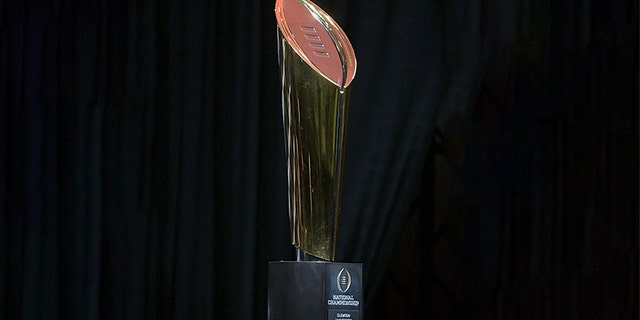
[317, 64]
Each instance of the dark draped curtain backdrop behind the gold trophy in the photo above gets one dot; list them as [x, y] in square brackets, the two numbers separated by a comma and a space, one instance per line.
[142, 162]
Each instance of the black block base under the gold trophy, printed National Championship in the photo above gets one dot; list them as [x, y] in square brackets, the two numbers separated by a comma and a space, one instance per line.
[315, 290]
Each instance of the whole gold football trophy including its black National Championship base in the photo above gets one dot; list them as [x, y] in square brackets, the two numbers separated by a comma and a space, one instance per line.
[317, 64]
